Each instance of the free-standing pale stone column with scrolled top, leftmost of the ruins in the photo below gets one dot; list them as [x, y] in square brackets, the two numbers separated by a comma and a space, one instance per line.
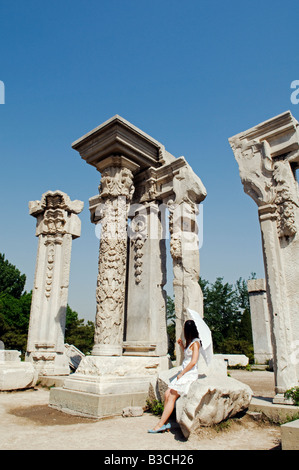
[57, 224]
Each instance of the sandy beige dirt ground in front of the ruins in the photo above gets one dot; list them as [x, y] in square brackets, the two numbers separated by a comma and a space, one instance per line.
[27, 423]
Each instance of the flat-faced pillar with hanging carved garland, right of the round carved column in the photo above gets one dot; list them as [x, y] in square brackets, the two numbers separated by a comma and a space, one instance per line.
[146, 307]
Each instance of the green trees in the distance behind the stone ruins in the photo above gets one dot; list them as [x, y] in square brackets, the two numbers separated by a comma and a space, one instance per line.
[226, 311]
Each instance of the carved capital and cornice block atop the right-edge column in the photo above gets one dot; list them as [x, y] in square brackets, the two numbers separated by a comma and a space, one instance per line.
[265, 154]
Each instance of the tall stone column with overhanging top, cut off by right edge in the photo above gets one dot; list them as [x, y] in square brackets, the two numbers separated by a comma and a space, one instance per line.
[268, 156]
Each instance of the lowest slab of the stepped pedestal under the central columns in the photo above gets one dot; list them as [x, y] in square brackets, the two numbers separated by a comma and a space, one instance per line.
[92, 405]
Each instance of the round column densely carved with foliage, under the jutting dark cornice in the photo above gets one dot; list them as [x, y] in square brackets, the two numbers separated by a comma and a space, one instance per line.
[116, 191]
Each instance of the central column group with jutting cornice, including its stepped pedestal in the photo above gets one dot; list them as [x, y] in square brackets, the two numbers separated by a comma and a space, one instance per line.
[142, 185]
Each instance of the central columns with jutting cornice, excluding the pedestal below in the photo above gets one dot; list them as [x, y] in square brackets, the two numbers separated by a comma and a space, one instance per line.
[140, 182]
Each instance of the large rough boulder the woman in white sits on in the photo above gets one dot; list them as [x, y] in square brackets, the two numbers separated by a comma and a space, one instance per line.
[211, 400]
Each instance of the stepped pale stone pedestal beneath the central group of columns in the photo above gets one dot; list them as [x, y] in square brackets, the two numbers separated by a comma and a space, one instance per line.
[103, 386]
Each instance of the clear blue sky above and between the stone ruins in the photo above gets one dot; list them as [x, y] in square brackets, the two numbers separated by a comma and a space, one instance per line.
[190, 74]
